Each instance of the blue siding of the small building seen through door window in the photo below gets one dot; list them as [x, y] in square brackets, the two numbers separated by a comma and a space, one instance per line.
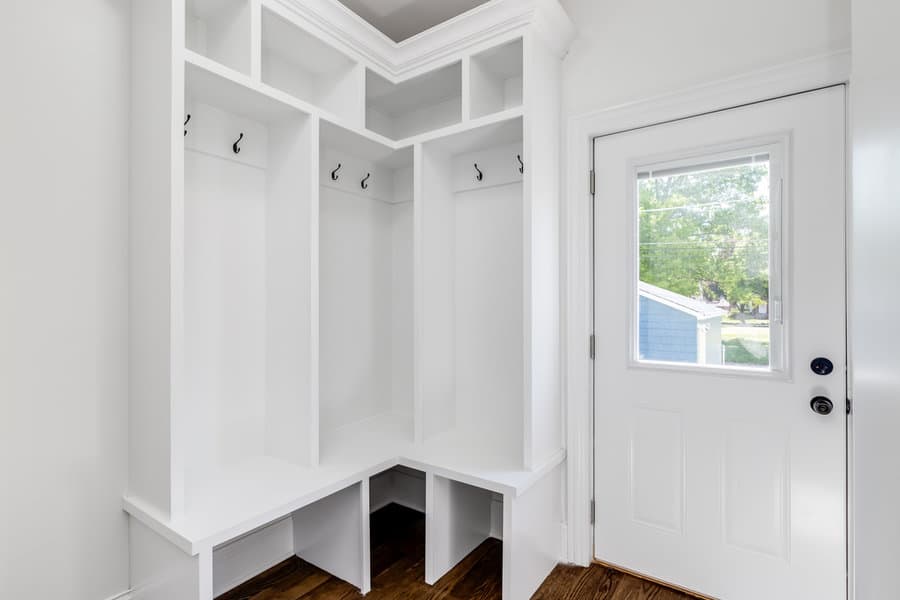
[666, 334]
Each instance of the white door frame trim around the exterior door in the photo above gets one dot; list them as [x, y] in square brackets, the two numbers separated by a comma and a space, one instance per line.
[577, 235]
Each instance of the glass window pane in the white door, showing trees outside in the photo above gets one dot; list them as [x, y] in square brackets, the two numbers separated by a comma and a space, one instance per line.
[703, 292]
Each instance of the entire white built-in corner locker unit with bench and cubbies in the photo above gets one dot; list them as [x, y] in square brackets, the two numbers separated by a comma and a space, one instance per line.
[344, 293]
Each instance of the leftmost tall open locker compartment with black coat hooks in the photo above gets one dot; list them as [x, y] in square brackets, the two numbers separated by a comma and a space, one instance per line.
[246, 283]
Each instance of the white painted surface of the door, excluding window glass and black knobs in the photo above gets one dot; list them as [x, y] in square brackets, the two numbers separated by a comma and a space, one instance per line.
[740, 477]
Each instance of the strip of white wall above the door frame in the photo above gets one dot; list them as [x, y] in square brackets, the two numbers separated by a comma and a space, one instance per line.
[636, 49]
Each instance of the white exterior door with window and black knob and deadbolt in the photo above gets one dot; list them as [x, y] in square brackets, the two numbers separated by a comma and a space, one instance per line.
[719, 280]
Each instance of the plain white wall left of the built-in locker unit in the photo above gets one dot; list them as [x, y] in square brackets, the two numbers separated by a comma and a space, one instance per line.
[63, 298]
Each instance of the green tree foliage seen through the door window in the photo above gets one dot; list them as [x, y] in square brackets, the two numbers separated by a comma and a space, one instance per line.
[706, 234]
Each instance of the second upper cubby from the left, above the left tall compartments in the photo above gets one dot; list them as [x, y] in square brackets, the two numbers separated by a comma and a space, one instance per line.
[304, 66]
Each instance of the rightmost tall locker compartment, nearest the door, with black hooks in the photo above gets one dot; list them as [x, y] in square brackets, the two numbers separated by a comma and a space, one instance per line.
[472, 283]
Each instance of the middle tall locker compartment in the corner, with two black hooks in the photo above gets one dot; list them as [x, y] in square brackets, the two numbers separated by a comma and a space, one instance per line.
[365, 293]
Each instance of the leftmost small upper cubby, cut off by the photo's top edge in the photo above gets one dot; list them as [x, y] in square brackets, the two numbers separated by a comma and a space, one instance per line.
[221, 31]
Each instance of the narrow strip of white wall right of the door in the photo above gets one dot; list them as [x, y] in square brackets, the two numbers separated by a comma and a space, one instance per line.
[874, 286]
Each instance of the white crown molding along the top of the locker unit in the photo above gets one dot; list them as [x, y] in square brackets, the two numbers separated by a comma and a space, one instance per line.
[336, 24]
